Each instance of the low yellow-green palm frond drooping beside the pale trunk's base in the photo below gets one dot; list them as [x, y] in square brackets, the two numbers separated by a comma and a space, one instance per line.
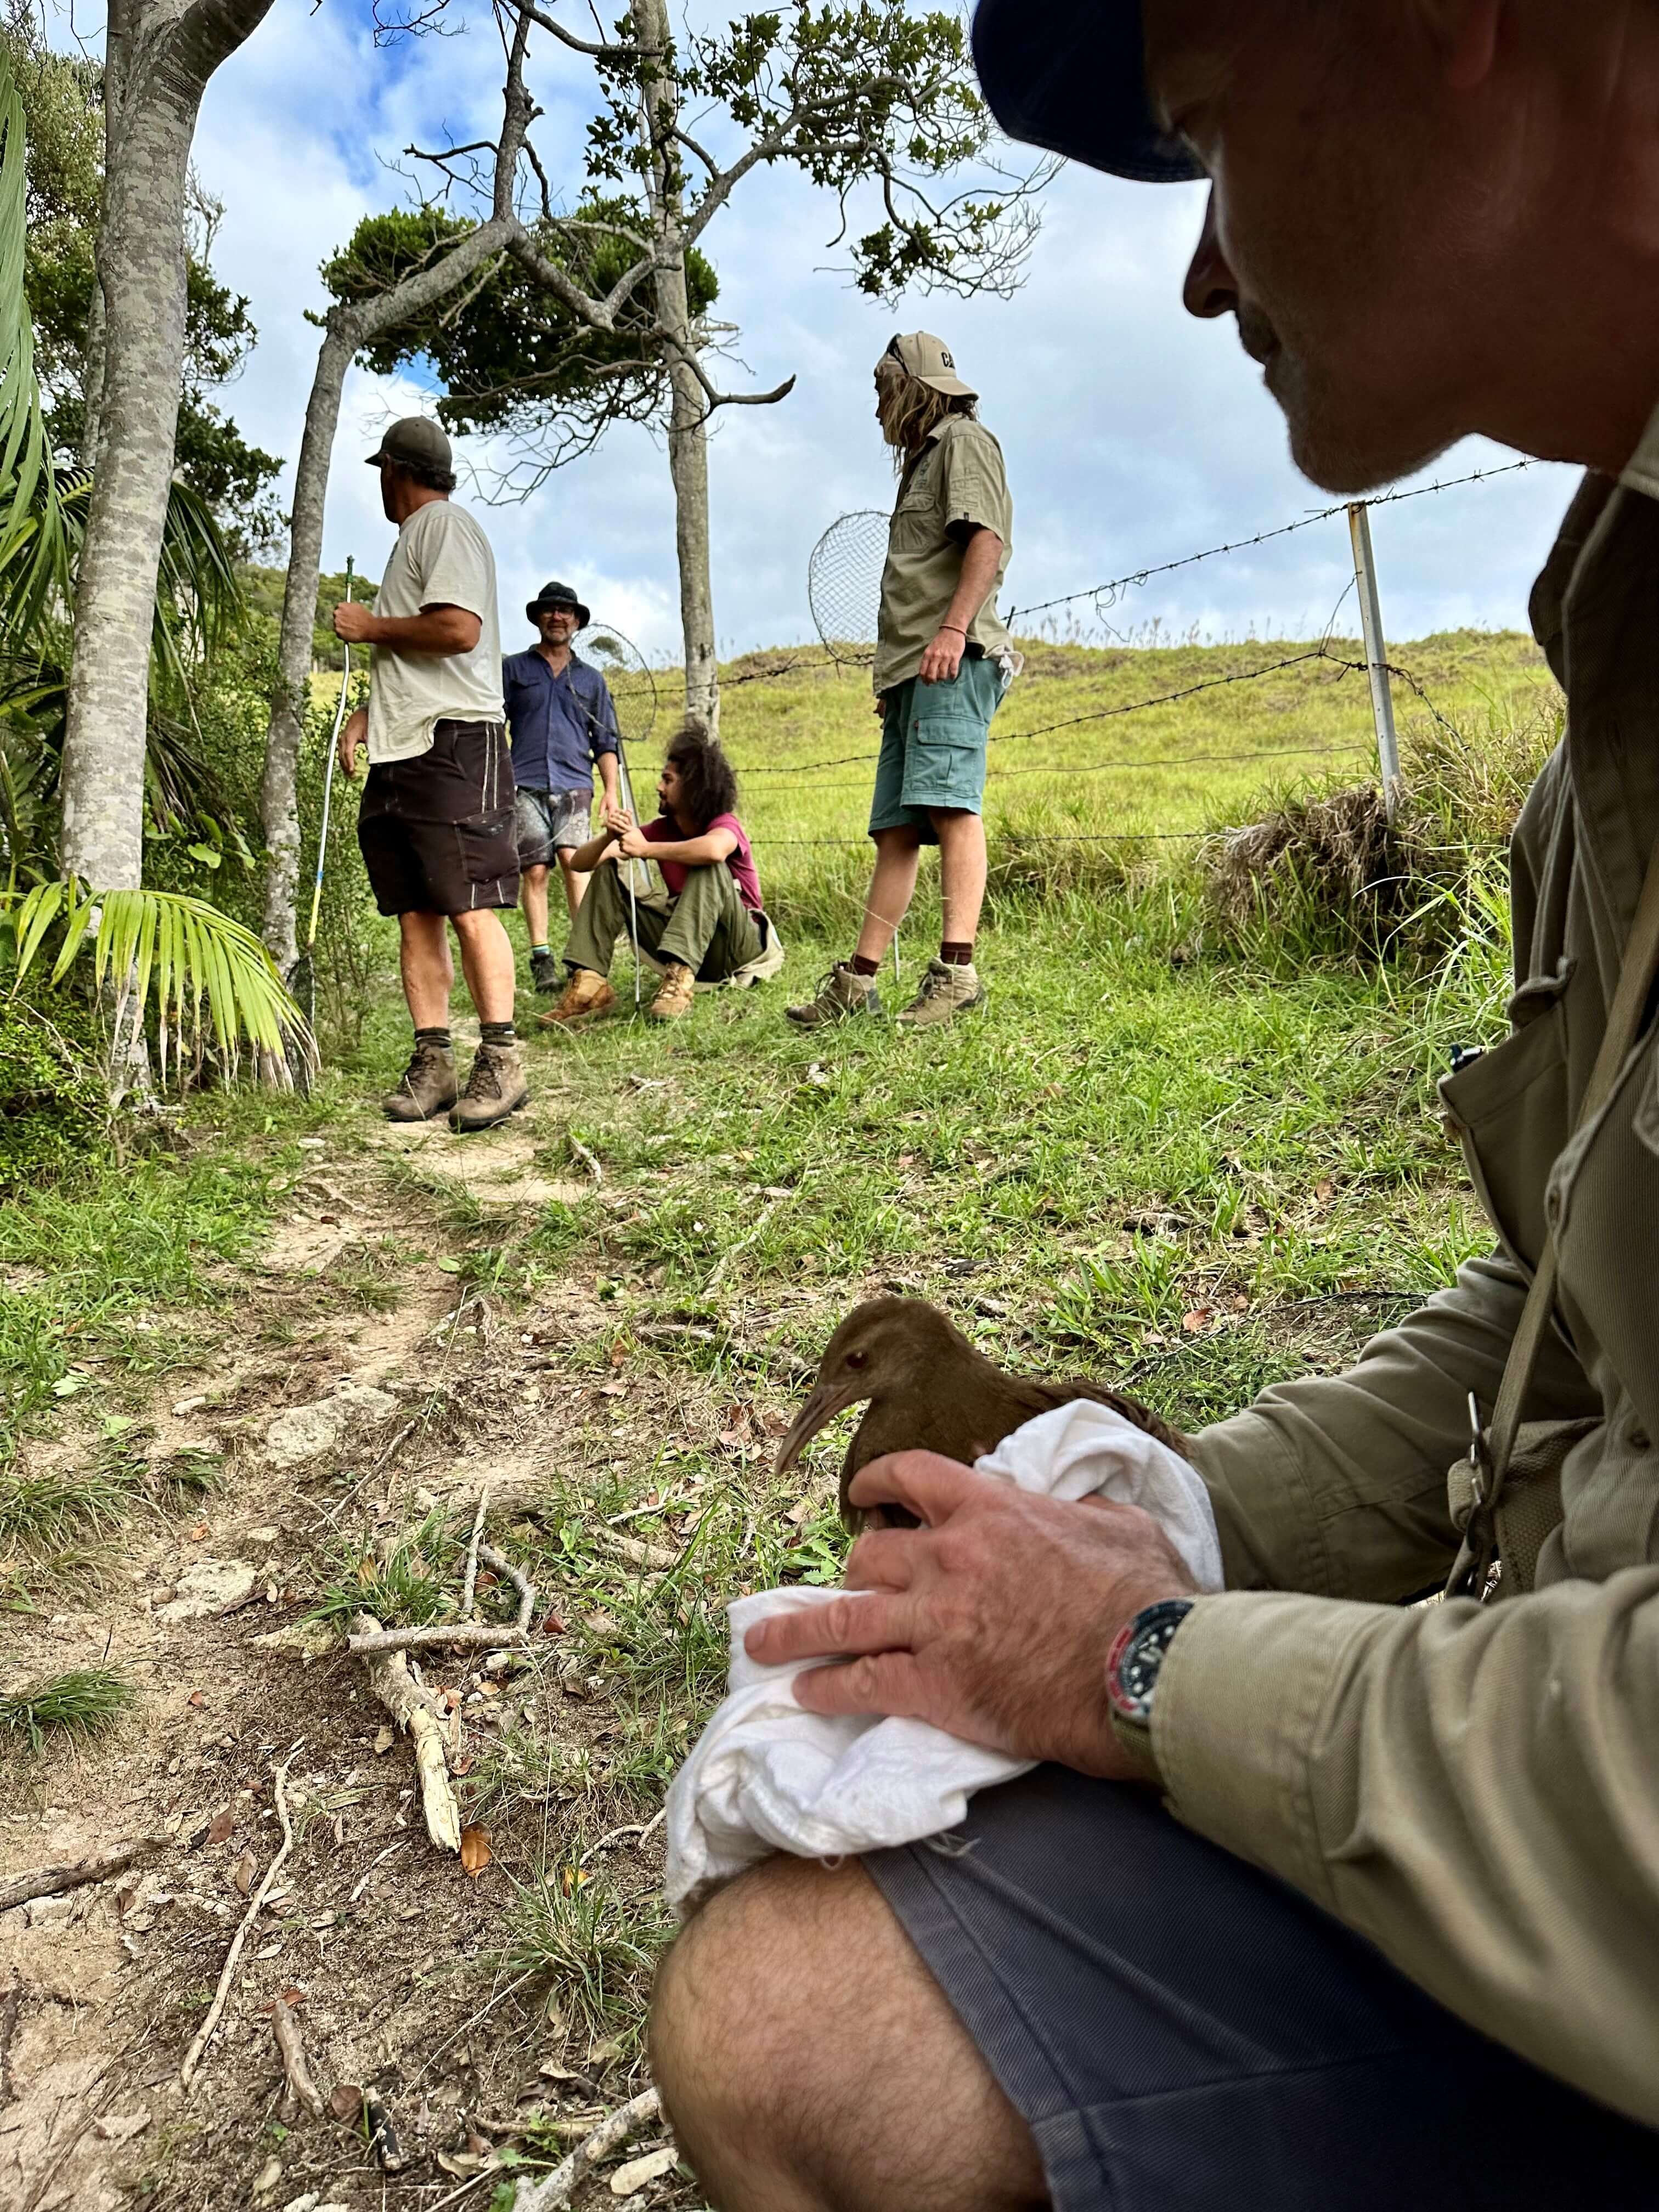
[189, 968]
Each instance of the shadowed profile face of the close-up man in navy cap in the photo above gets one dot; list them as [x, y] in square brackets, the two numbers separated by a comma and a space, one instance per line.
[1348, 231]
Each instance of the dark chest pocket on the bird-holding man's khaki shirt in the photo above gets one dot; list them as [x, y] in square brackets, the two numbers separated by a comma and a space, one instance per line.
[1510, 1112]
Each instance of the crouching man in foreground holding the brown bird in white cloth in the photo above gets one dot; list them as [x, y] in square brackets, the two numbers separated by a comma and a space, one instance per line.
[1317, 1901]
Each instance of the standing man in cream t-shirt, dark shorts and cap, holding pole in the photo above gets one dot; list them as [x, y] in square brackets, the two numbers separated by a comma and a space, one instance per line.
[437, 824]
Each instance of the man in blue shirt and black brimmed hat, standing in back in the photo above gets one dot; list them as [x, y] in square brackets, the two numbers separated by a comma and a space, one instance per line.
[563, 727]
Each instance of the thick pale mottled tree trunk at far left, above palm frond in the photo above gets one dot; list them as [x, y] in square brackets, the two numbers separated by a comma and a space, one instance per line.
[163, 63]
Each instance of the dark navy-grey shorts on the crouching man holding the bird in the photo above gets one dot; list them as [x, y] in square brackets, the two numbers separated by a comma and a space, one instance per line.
[1185, 2034]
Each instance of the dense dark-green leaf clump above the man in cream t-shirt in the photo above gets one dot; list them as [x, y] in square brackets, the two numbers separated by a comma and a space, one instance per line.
[505, 351]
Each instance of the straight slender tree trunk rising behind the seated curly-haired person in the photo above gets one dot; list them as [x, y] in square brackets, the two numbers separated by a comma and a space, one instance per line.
[689, 408]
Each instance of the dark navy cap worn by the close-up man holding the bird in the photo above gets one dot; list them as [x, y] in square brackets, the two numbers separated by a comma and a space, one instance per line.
[1072, 76]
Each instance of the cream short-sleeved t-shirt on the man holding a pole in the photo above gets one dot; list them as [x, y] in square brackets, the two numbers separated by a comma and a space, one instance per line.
[441, 559]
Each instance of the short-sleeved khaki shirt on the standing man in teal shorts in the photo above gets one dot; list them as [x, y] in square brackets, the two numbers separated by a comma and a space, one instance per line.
[957, 479]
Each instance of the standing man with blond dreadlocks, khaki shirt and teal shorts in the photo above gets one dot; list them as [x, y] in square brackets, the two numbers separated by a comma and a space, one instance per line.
[943, 662]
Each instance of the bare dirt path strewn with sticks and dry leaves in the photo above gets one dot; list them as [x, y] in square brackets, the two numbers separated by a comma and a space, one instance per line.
[359, 1386]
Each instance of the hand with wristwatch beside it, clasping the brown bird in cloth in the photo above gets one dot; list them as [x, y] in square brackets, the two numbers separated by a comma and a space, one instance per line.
[992, 1623]
